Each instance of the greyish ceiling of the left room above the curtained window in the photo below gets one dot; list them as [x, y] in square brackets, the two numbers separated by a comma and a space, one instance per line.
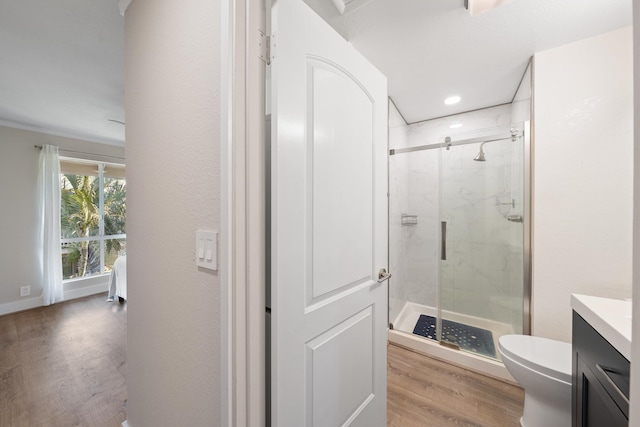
[62, 68]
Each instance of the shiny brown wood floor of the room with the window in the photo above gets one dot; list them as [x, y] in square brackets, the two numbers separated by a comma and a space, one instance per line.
[64, 365]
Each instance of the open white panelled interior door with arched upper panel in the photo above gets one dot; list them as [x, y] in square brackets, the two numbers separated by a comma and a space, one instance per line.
[329, 227]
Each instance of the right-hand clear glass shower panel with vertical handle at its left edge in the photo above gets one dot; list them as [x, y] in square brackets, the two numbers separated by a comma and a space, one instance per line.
[481, 253]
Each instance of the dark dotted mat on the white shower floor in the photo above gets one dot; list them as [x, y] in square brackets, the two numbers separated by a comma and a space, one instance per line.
[469, 338]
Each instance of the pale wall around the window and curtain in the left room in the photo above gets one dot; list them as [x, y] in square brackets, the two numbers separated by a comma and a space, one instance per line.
[19, 216]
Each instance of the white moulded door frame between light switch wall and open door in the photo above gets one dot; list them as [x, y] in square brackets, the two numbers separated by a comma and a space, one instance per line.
[243, 188]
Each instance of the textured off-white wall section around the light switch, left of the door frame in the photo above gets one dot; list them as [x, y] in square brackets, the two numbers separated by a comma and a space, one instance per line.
[172, 81]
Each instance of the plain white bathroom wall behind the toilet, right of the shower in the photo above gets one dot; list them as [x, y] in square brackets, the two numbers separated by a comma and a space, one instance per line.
[583, 176]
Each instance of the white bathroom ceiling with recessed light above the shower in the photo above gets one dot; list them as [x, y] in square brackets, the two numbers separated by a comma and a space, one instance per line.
[432, 49]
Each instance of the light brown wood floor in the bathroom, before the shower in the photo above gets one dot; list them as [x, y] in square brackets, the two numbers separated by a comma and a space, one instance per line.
[425, 392]
